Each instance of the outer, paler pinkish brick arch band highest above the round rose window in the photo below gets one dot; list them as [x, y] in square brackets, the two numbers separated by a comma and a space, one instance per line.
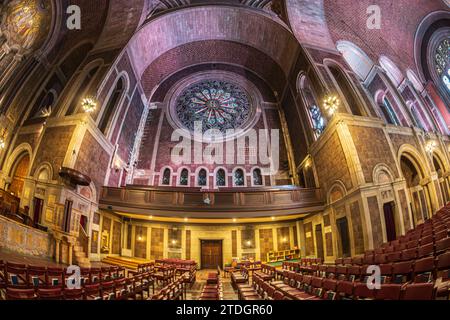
[214, 22]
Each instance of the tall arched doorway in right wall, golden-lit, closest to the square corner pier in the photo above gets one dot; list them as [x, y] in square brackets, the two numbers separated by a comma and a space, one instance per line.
[420, 201]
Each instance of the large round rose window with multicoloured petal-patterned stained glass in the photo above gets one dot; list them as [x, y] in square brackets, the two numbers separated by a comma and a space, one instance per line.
[216, 104]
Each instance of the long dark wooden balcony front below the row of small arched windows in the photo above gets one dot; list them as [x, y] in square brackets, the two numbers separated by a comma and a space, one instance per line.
[223, 203]
